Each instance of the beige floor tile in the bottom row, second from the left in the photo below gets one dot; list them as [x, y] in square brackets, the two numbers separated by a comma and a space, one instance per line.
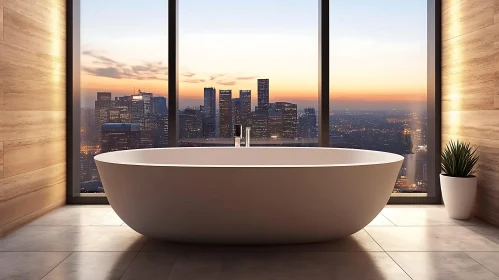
[92, 266]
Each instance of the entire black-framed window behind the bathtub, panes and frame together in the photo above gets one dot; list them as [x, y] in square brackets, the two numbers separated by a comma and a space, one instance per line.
[262, 65]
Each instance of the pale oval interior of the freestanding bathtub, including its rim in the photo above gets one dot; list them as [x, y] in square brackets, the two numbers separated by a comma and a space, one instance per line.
[254, 156]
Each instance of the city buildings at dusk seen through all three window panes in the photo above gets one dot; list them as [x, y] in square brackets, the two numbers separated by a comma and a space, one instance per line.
[140, 120]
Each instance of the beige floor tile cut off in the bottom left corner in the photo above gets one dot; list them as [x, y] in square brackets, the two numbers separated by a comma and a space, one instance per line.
[28, 265]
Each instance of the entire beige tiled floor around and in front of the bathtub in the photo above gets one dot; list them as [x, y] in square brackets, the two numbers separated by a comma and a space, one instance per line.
[403, 242]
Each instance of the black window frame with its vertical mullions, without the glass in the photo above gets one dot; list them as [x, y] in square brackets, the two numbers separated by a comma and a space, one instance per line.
[434, 47]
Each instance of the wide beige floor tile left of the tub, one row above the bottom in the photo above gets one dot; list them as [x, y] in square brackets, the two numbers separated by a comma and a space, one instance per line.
[71, 238]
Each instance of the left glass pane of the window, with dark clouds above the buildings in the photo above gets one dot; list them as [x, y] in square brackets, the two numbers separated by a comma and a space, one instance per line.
[124, 54]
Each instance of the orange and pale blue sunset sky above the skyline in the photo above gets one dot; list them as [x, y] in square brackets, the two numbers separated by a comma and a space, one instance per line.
[378, 48]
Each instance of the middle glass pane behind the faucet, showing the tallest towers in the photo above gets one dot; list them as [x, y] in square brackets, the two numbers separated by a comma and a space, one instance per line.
[249, 63]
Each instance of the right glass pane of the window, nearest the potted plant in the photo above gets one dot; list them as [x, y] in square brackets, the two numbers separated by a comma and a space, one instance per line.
[378, 83]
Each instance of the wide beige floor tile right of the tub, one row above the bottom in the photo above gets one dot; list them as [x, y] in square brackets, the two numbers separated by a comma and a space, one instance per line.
[434, 238]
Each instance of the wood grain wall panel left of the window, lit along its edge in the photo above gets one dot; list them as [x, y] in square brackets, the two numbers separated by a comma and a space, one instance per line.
[32, 109]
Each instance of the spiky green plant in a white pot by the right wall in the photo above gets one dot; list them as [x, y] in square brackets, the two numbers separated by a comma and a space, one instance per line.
[458, 181]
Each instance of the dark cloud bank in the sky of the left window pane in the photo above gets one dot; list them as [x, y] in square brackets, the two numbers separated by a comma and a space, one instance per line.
[107, 67]
